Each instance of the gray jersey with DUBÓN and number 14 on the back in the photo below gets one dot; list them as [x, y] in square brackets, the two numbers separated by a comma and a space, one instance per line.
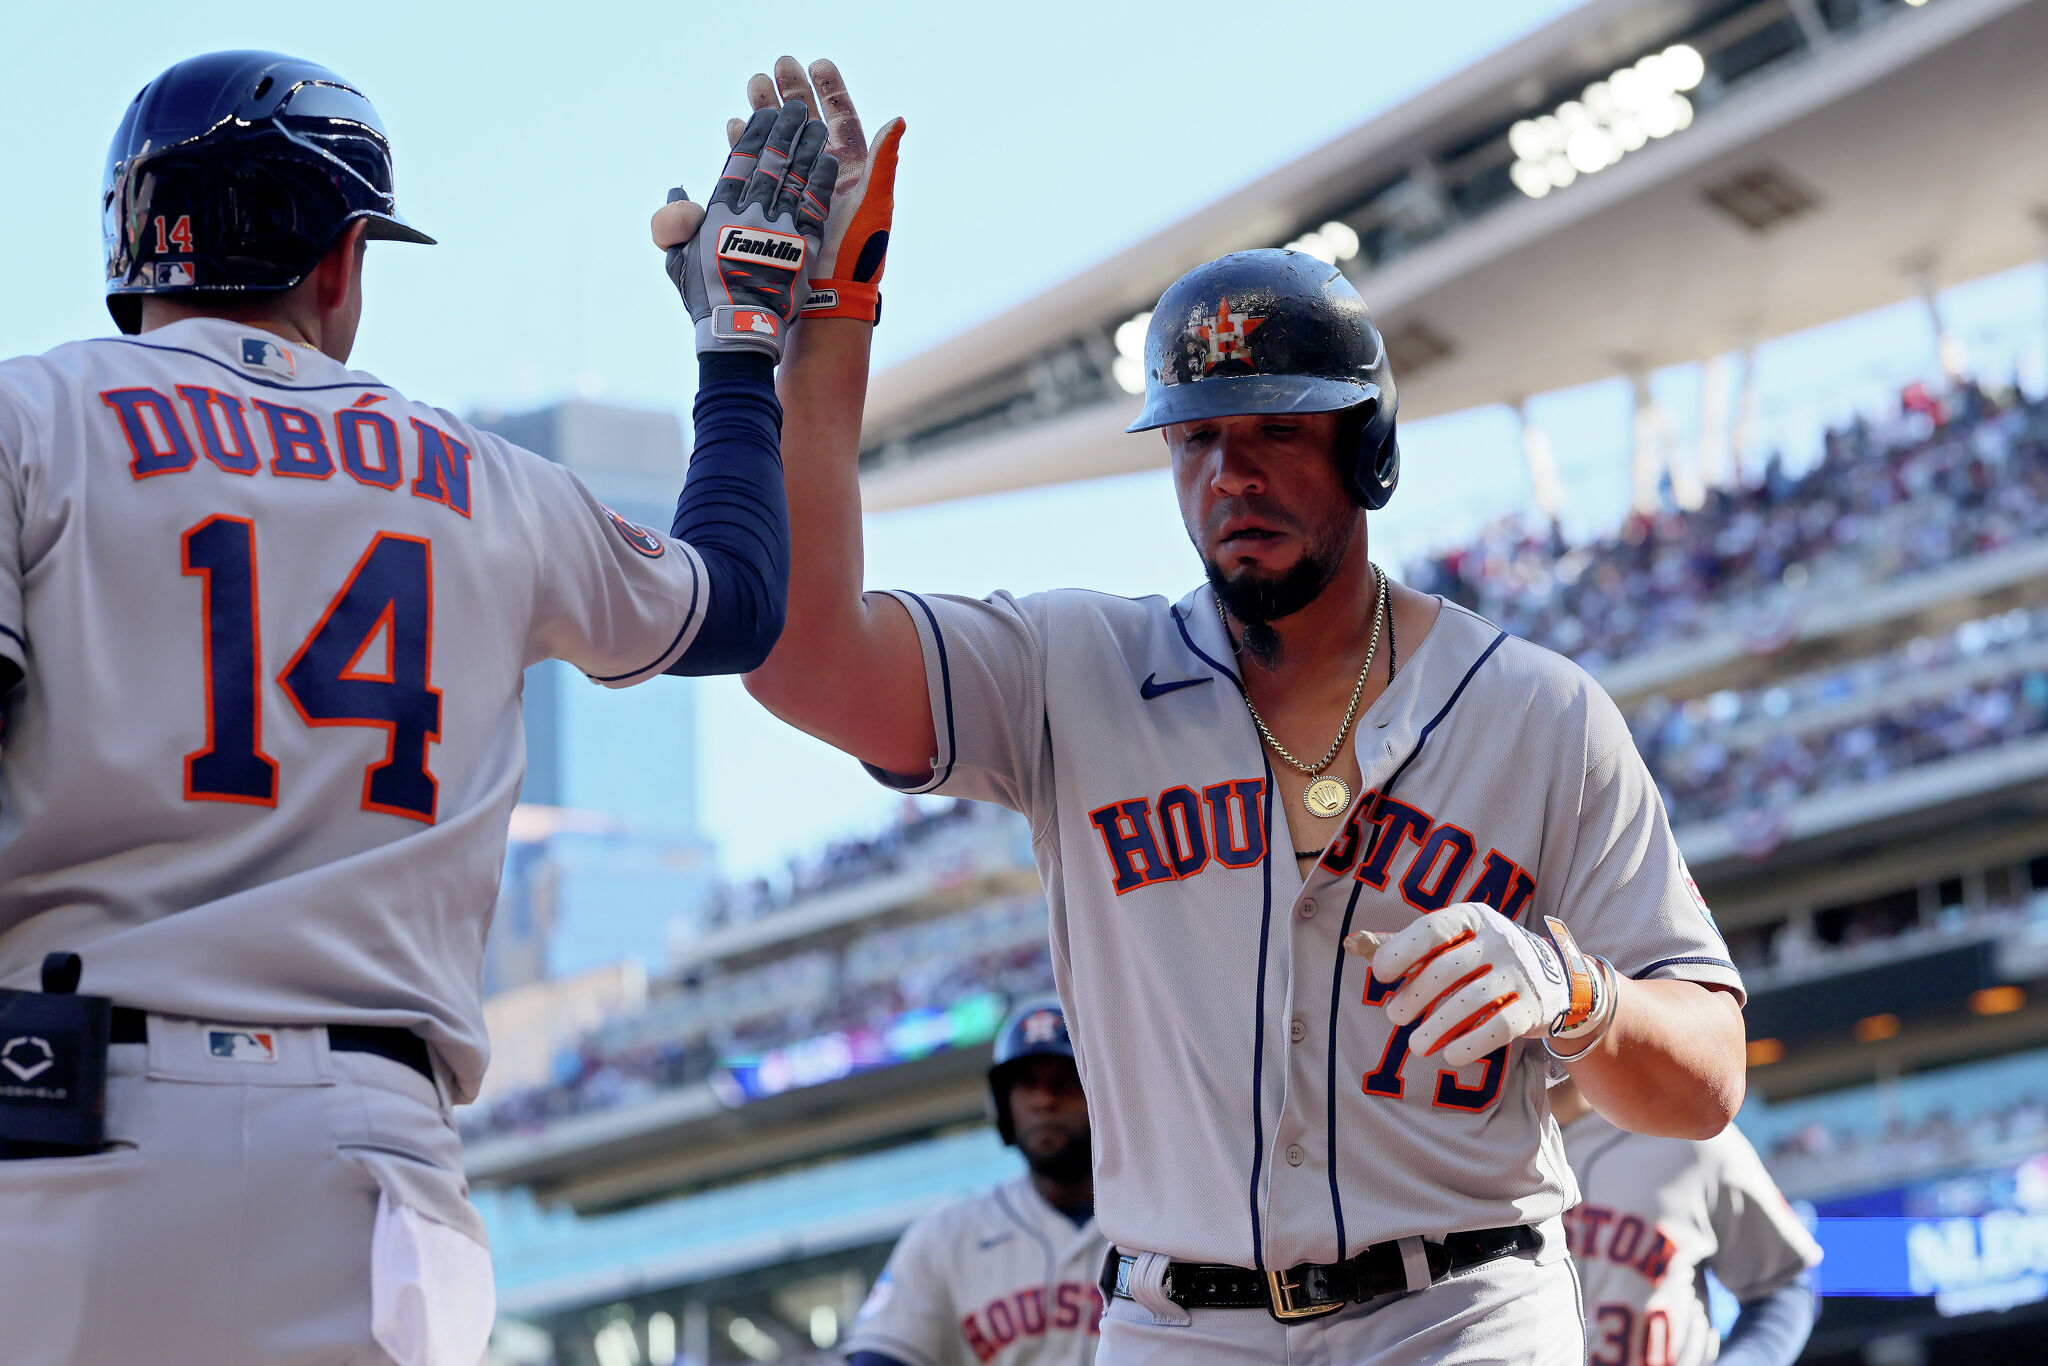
[273, 620]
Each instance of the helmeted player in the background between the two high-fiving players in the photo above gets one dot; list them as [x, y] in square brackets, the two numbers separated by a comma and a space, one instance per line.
[1007, 1277]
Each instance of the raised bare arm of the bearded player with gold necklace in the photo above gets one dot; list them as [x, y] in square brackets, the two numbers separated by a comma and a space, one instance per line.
[841, 654]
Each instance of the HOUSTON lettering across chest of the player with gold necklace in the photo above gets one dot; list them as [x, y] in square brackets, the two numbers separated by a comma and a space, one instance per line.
[1177, 837]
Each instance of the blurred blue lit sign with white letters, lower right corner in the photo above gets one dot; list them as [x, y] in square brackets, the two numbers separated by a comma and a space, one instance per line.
[1975, 1244]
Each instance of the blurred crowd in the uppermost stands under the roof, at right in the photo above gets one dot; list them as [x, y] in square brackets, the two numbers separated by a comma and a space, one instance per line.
[1940, 480]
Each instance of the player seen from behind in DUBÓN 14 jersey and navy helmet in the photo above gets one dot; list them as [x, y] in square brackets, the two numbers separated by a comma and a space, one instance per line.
[263, 626]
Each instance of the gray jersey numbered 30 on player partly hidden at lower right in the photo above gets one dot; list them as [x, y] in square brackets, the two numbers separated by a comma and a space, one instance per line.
[1656, 1215]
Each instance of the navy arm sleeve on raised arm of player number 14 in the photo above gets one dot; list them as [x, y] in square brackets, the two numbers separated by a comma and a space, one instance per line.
[736, 515]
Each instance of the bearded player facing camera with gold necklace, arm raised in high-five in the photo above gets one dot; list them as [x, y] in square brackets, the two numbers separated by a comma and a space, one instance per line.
[1238, 794]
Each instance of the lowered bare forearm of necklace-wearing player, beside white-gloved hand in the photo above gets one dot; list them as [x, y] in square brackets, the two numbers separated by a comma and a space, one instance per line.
[1672, 1066]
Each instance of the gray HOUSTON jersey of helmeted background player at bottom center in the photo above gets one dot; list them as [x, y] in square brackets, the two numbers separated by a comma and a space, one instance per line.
[1000, 1277]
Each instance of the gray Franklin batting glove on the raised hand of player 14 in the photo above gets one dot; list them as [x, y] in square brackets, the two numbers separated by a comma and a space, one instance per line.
[746, 273]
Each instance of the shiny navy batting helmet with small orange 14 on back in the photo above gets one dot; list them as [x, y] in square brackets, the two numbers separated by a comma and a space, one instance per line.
[234, 173]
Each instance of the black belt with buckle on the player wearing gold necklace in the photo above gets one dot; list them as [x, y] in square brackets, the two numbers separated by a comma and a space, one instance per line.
[1312, 1291]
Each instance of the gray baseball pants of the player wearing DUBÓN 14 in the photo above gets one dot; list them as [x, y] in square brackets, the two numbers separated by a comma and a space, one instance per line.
[280, 1207]
